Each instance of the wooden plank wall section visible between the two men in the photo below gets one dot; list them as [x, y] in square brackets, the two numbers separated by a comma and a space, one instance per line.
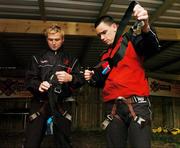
[88, 113]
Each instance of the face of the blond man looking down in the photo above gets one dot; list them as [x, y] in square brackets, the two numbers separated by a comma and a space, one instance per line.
[55, 41]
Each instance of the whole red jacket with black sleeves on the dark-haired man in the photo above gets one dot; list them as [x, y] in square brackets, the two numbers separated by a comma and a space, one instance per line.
[127, 76]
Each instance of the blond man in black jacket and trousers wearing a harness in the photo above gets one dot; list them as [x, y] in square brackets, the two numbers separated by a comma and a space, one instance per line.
[51, 77]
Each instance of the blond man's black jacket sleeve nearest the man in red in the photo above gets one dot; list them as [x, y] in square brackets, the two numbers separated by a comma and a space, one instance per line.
[77, 75]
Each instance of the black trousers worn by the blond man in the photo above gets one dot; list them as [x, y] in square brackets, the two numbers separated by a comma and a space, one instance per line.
[36, 129]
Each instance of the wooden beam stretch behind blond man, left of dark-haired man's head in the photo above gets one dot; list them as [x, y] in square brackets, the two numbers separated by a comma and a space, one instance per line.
[38, 27]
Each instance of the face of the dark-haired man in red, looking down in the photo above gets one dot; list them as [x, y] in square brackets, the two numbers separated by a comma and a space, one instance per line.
[106, 32]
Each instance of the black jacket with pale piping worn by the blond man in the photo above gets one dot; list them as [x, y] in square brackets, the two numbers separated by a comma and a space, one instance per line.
[43, 66]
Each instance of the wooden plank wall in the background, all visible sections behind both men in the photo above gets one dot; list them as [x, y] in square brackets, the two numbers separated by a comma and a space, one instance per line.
[89, 111]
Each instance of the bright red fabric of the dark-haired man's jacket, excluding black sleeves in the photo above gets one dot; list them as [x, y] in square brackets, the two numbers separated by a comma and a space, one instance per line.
[127, 78]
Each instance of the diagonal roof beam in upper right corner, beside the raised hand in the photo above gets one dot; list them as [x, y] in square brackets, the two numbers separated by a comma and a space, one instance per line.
[166, 5]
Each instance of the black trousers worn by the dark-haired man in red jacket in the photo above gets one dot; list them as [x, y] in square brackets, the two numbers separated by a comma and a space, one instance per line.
[125, 129]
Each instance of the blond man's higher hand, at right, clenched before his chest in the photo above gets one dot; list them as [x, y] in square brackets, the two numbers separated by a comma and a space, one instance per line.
[63, 77]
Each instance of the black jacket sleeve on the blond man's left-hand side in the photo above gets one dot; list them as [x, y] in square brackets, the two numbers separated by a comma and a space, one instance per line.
[32, 78]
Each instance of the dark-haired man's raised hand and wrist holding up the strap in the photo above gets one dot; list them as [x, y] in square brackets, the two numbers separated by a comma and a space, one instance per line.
[141, 14]
